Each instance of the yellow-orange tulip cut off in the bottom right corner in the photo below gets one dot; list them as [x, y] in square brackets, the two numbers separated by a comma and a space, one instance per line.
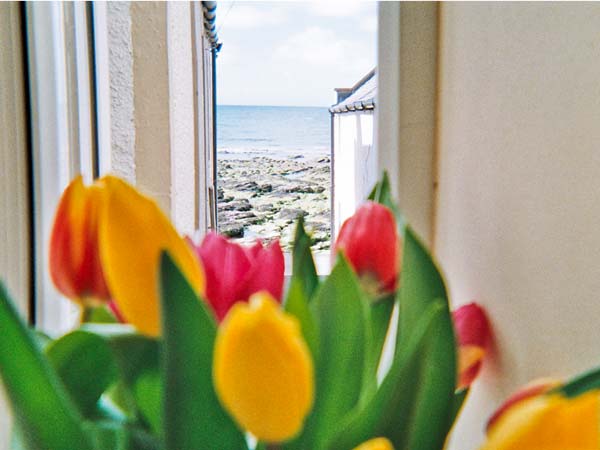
[548, 422]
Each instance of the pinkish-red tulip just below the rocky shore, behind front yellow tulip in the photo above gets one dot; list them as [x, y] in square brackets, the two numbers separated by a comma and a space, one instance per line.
[234, 273]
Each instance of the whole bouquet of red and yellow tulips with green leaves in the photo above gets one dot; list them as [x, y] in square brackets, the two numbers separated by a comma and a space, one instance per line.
[186, 346]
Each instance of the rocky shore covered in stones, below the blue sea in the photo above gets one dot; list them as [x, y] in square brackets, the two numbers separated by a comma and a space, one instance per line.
[262, 197]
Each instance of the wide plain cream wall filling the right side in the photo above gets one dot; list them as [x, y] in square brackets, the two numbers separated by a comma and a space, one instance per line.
[519, 188]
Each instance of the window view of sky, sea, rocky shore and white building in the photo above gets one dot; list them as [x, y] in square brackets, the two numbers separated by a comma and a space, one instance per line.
[278, 139]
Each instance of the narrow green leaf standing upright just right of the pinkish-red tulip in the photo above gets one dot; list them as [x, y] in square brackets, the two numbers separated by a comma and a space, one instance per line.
[303, 284]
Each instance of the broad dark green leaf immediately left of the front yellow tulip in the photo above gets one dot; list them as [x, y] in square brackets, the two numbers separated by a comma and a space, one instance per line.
[193, 417]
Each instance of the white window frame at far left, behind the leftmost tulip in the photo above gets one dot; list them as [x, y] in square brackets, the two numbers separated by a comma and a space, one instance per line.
[61, 134]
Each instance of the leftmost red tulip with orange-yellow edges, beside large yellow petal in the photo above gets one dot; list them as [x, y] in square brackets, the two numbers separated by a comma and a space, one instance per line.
[75, 265]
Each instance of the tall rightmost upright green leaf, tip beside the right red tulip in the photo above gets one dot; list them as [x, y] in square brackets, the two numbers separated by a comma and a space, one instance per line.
[421, 286]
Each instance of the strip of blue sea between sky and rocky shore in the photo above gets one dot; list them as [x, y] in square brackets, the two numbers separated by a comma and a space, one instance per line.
[275, 131]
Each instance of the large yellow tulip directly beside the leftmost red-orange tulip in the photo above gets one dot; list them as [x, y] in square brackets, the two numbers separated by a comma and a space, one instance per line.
[132, 233]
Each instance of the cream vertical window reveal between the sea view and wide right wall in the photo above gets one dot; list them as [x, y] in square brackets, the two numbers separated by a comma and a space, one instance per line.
[406, 106]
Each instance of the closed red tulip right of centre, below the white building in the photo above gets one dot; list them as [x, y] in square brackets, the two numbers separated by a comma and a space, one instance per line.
[369, 240]
